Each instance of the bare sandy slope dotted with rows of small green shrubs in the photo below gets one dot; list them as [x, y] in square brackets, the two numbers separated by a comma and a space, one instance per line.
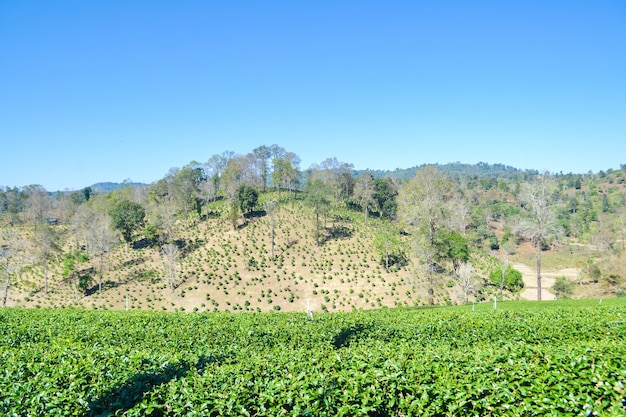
[225, 269]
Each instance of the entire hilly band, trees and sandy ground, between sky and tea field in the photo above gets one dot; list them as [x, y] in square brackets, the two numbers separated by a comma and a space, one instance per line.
[256, 232]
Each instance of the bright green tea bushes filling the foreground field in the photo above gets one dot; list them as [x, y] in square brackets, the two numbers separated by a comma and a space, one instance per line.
[531, 359]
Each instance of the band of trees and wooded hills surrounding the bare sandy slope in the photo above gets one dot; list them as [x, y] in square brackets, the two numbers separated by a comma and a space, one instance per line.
[445, 211]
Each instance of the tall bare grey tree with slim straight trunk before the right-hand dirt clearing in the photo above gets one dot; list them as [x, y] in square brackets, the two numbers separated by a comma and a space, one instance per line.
[540, 225]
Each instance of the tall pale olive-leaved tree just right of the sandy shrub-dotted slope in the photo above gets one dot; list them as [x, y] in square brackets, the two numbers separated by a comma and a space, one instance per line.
[423, 205]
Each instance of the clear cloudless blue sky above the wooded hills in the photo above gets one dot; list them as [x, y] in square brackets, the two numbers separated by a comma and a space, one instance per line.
[110, 90]
